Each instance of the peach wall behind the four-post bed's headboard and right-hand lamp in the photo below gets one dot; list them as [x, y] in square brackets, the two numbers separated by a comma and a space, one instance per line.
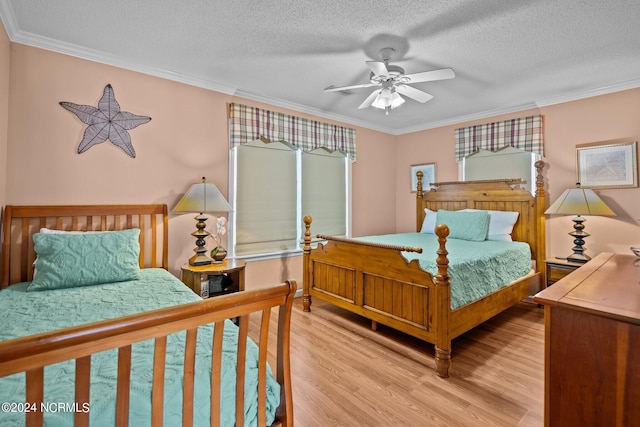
[598, 118]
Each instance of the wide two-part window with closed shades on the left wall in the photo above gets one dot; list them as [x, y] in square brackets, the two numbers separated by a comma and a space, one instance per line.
[274, 185]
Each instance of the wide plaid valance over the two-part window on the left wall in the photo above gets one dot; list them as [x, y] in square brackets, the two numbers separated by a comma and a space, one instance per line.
[249, 123]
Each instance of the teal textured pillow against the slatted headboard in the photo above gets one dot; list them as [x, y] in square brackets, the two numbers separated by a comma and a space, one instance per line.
[81, 259]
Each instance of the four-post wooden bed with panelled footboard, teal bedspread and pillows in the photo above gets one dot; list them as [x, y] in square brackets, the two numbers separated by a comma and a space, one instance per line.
[437, 298]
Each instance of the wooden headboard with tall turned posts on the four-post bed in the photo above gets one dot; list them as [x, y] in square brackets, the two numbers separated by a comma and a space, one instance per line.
[498, 195]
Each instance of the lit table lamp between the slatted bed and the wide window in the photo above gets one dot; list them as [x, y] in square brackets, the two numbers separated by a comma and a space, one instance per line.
[202, 197]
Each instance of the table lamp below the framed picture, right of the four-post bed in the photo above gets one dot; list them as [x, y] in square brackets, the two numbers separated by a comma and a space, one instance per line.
[579, 201]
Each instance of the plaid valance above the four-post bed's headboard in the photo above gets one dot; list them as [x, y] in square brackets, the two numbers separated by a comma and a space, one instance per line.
[524, 133]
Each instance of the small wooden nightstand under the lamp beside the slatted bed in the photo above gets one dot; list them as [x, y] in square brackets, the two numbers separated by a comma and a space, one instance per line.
[215, 279]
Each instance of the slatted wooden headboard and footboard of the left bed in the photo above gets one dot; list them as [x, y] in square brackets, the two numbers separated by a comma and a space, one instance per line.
[30, 354]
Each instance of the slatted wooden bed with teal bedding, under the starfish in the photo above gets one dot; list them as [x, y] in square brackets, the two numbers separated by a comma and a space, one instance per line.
[104, 334]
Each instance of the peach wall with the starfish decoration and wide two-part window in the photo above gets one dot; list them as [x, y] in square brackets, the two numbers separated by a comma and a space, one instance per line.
[187, 138]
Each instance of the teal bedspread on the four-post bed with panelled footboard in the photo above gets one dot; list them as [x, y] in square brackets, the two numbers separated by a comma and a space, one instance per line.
[476, 268]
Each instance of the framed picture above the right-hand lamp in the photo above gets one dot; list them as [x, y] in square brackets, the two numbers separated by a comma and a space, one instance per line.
[607, 164]
